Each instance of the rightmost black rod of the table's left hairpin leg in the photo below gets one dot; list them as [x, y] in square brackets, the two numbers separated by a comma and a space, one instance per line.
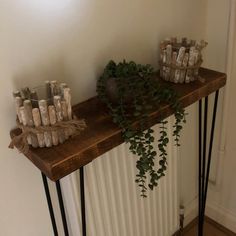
[82, 196]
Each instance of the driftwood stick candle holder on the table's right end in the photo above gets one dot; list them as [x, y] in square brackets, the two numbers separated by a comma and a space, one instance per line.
[180, 60]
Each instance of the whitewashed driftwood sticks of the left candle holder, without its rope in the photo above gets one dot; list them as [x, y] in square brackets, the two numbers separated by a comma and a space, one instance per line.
[35, 112]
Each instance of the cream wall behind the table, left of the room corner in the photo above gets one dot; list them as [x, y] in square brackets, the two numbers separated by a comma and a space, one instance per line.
[71, 40]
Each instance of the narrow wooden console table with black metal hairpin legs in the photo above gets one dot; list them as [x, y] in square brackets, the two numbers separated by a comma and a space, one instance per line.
[102, 135]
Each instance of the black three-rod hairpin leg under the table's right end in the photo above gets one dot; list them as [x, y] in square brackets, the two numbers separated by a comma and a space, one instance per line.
[203, 170]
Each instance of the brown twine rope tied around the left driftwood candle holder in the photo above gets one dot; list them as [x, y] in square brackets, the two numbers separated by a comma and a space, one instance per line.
[21, 143]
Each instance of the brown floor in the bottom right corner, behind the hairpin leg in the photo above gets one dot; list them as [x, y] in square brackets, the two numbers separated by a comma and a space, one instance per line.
[211, 228]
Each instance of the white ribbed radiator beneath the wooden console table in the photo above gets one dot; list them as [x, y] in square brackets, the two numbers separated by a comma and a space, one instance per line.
[113, 203]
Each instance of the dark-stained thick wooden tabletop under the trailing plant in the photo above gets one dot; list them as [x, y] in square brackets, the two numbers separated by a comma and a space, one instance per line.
[102, 134]
